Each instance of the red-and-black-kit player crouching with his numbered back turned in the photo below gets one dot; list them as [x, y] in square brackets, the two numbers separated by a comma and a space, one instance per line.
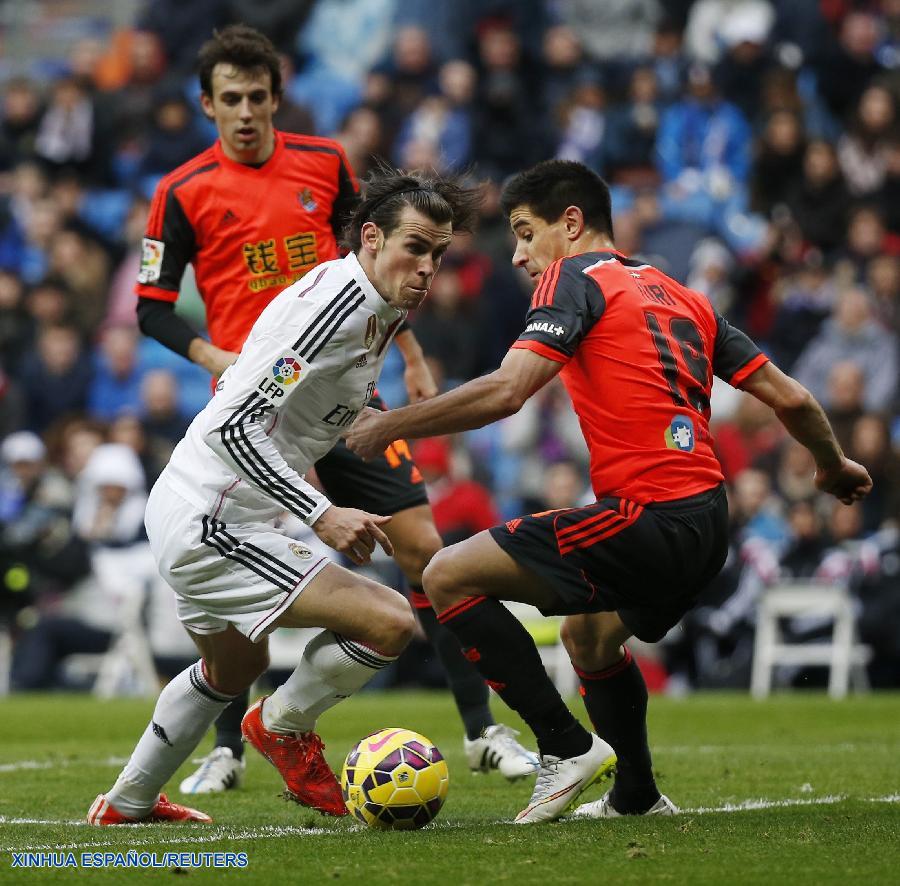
[637, 352]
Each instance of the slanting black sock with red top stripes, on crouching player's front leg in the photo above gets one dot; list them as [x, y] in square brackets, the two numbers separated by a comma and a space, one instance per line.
[493, 639]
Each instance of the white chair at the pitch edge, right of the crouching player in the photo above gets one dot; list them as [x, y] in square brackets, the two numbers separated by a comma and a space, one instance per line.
[842, 654]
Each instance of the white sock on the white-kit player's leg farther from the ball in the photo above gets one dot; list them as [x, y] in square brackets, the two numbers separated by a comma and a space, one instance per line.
[185, 709]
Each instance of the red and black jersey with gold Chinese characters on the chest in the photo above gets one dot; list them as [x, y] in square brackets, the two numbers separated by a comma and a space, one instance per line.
[249, 231]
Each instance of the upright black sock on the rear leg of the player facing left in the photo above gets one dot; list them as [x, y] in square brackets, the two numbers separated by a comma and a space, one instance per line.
[616, 702]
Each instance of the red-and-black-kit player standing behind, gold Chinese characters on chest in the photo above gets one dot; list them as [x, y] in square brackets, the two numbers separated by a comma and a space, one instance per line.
[254, 213]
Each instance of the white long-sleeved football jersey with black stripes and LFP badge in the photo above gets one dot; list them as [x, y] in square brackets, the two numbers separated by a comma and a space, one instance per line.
[307, 368]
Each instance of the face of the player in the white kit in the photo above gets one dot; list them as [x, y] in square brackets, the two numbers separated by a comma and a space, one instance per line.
[404, 263]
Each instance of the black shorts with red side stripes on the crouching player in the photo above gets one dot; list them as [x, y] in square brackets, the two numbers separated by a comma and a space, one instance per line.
[648, 564]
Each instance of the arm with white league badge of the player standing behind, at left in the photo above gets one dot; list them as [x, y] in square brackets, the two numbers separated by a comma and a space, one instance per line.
[169, 244]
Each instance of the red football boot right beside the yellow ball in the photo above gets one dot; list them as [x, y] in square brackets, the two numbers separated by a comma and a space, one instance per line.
[298, 757]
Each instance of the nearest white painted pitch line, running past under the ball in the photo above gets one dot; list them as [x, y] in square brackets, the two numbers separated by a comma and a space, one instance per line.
[270, 832]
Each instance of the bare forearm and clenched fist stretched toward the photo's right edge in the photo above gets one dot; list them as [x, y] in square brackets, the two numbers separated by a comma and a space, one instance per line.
[807, 423]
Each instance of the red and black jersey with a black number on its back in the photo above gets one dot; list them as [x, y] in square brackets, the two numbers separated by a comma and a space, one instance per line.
[640, 351]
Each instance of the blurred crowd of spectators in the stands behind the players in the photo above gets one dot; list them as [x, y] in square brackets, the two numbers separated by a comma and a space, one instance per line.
[753, 151]
